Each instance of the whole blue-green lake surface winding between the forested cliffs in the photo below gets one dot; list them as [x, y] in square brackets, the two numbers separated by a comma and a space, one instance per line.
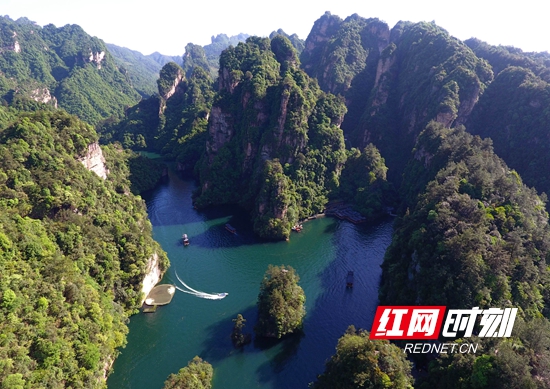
[217, 261]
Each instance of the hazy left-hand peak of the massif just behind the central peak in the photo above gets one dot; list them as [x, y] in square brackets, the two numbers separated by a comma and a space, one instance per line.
[349, 57]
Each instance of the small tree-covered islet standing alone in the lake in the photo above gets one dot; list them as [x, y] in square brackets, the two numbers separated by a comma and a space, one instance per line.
[281, 303]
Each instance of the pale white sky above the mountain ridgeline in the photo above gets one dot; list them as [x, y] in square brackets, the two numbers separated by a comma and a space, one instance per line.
[167, 26]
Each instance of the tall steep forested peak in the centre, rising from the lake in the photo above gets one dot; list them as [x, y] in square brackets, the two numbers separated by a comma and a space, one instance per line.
[274, 144]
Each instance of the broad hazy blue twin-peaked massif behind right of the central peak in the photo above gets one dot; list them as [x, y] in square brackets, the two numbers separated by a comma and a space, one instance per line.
[395, 82]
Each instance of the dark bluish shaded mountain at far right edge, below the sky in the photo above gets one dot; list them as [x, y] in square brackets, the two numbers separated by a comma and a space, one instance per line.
[514, 111]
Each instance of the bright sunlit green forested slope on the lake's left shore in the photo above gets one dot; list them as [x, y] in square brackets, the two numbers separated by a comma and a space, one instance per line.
[74, 249]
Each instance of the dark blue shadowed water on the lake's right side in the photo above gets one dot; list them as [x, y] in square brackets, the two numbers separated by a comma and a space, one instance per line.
[359, 248]
